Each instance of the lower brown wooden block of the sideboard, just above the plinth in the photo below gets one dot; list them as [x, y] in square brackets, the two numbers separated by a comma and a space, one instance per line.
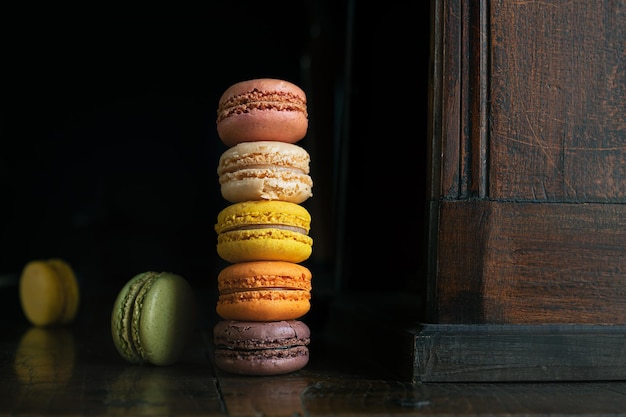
[529, 263]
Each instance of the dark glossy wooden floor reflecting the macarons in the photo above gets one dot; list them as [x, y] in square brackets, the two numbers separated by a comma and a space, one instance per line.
[76, 371]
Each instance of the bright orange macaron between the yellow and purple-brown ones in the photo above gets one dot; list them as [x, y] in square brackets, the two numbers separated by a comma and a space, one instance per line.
[264, 291]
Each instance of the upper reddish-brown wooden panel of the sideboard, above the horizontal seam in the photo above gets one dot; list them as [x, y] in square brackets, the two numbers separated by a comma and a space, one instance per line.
[557, 102]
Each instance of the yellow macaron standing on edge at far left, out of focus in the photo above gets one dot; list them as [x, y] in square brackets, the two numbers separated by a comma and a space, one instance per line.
[49, 292]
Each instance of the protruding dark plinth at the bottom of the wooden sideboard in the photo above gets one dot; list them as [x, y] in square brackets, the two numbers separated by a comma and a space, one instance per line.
[520, 353]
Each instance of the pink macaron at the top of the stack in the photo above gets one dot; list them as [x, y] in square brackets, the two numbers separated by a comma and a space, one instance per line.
[262, 109]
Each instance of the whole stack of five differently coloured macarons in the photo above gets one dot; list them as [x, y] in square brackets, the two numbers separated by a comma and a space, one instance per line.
[264, 231]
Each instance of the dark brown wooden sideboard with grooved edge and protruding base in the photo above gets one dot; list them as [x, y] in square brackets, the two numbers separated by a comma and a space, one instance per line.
[527, 228]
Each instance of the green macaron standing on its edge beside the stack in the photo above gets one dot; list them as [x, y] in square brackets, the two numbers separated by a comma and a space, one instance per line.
[153, 318]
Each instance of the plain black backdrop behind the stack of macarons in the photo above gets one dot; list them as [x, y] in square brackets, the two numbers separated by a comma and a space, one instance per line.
[108, 146]
